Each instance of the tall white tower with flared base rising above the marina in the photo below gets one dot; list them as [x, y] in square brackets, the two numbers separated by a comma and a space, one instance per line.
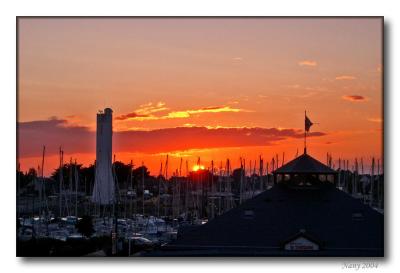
[104, 188]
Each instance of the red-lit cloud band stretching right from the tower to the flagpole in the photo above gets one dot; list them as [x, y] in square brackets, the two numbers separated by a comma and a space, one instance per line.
[183, 138]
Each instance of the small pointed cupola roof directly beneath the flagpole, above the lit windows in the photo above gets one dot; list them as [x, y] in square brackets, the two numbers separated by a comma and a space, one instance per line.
[304, 164]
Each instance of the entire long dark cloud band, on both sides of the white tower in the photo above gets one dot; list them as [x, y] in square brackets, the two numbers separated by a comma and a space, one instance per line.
[77, 139]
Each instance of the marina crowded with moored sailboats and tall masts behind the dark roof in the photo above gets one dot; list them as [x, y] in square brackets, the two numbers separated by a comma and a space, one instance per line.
[153, 211]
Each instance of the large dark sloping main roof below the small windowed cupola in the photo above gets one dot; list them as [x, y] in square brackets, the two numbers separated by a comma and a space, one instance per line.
[340, 224]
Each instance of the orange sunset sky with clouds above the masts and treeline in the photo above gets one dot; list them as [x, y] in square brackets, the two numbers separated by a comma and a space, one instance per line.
[213, 88]
